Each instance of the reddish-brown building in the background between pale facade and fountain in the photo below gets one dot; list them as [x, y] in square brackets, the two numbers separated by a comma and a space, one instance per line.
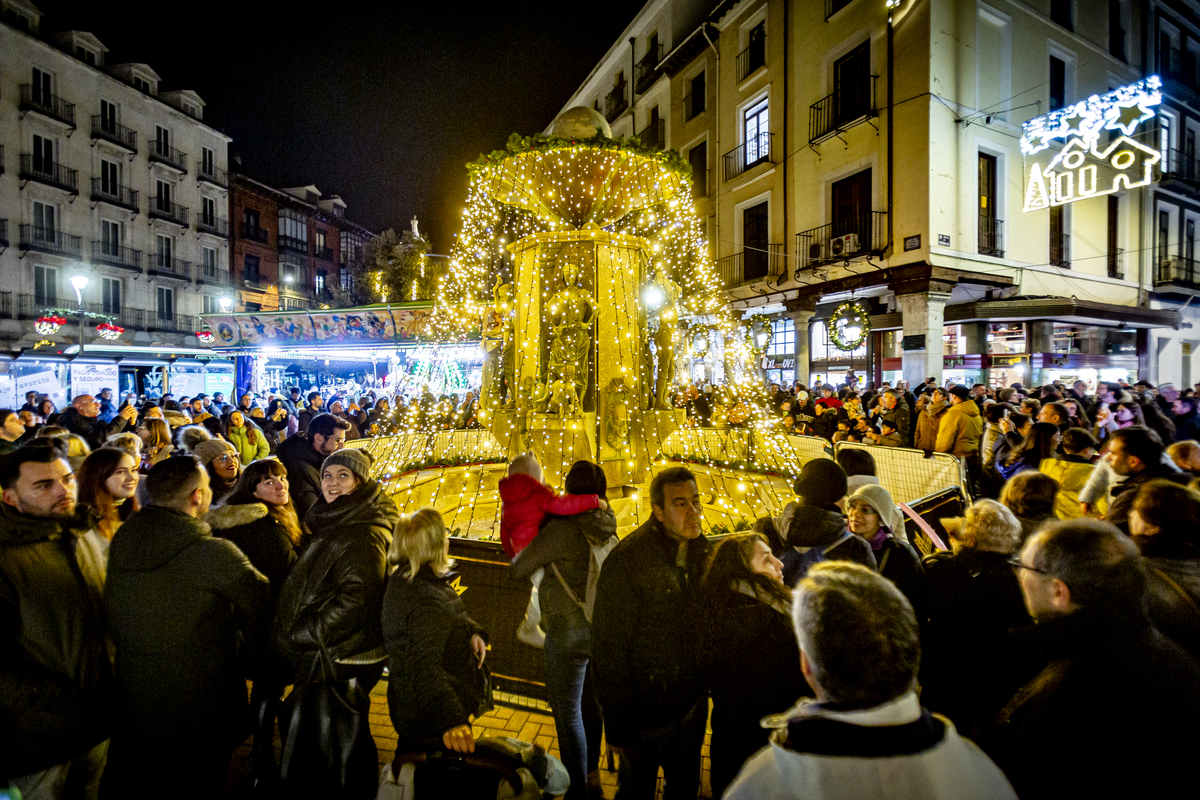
[292, 249]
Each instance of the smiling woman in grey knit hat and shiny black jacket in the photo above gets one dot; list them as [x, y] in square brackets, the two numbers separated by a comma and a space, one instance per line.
[328, 625]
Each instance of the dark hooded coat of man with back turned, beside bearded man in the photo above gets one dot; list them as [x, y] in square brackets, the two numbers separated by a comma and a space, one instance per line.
[182, 605]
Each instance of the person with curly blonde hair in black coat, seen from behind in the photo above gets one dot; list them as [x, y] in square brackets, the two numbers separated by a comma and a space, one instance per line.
[971, 661]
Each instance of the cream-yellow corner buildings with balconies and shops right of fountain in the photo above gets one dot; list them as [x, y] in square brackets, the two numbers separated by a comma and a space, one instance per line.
[869, 152]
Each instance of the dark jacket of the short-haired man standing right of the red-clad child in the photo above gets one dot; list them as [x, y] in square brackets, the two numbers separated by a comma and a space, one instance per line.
[643, 646]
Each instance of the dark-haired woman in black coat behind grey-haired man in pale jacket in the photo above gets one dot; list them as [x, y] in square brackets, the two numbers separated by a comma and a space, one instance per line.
[748, 651]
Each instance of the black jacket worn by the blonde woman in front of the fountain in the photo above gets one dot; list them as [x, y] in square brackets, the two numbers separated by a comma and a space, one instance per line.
[434, 677]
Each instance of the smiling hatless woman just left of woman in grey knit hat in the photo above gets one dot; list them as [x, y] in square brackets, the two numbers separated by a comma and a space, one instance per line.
[260, 519]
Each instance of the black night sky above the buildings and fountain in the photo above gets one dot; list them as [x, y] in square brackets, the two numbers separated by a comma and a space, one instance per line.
[382, 105]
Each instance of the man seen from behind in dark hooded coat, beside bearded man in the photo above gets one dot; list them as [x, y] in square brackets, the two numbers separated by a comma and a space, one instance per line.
[181, 604]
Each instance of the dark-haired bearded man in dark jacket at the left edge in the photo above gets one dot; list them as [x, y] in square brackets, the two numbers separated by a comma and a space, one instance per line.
[56, 677]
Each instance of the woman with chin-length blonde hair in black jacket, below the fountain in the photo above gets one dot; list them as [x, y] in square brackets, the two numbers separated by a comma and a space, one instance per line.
[435, 651]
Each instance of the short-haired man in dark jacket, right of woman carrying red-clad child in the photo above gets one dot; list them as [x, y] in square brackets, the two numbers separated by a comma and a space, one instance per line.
[650, 689]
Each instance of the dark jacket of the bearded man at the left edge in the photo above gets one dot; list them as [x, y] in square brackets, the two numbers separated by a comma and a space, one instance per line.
[56, 678]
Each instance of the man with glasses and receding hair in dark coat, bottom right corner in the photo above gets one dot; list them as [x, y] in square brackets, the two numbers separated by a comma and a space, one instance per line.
[1084, 584]
